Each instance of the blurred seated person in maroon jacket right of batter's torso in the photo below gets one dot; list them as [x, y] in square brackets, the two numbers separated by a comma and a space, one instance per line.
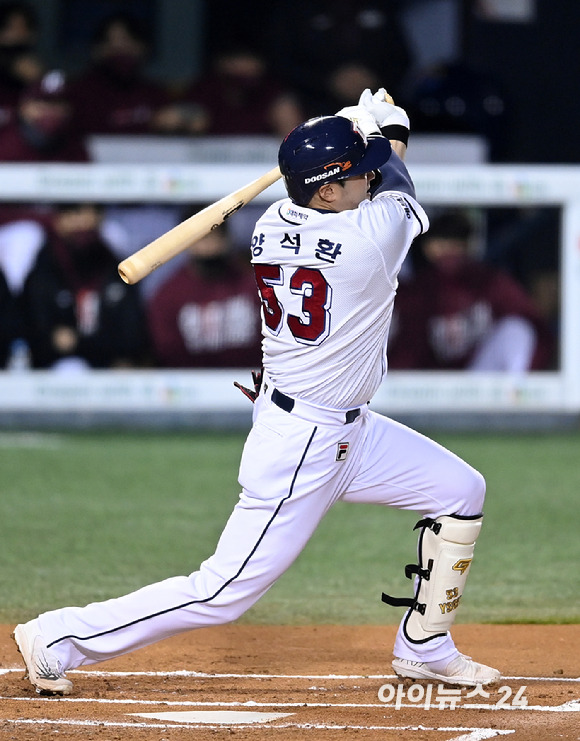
[459, 313]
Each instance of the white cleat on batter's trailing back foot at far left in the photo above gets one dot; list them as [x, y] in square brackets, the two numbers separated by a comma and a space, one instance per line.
[44, 670]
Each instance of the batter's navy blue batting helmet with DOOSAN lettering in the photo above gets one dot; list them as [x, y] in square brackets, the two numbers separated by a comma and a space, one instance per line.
[324, 150]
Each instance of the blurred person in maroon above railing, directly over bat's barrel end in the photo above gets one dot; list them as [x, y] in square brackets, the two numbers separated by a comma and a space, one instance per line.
[114, 96]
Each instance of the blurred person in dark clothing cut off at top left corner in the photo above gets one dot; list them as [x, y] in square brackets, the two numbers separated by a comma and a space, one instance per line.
[19, 64]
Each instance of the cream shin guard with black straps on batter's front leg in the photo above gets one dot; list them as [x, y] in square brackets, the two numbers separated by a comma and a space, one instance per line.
[445, 552]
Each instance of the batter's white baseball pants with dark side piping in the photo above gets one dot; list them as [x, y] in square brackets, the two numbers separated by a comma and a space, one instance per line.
[292, 471]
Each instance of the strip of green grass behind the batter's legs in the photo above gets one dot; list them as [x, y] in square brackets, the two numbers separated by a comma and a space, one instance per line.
[89, 516]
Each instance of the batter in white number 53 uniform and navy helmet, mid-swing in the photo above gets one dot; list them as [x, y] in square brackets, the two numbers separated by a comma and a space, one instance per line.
[326, 261]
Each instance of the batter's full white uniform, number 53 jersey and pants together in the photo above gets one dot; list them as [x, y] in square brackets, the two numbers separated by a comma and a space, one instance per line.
[327, 282]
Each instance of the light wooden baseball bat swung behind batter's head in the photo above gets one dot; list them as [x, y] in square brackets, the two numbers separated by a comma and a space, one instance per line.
[143, 262]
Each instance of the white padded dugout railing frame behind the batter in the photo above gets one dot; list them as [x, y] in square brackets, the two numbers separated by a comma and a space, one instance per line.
[195, 398]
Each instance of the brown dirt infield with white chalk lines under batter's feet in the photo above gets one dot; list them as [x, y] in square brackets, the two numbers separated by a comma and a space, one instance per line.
[321, 682]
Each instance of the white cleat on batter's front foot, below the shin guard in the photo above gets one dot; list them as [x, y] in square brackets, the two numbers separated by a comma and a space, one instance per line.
[461, 671]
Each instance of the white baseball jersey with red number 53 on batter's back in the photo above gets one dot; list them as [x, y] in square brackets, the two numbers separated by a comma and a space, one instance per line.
[327, 282]
